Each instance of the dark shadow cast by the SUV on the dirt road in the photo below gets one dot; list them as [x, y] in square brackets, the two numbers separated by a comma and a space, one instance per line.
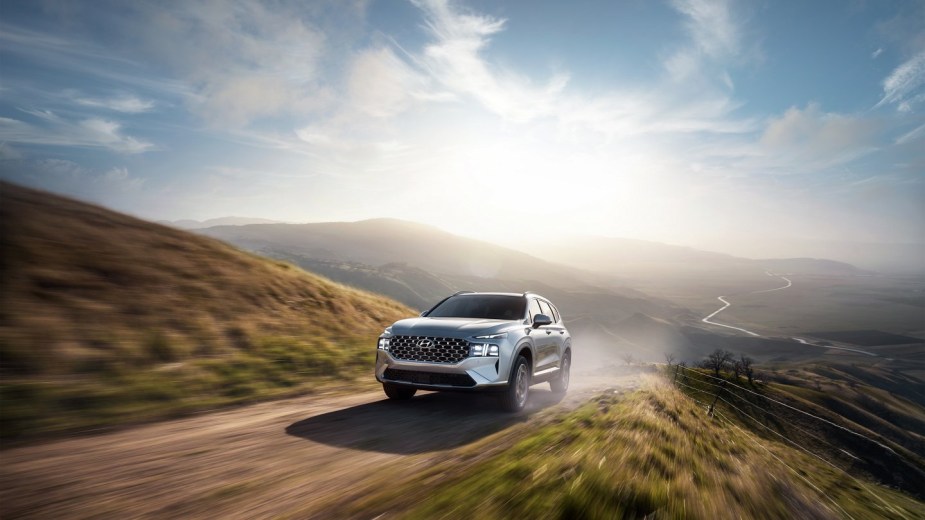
[428, 422]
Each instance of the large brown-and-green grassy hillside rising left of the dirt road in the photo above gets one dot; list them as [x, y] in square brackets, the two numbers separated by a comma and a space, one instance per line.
[106, 318]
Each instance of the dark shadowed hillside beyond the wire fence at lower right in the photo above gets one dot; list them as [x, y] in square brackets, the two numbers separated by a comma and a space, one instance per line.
[849, 415]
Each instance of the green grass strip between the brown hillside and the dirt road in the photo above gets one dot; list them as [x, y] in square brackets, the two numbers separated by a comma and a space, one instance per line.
[105, 394]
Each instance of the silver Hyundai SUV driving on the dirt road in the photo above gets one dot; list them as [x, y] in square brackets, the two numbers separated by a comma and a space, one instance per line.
[500, 342]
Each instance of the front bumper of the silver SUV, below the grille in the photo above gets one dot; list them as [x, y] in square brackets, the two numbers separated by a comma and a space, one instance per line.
[470, 374]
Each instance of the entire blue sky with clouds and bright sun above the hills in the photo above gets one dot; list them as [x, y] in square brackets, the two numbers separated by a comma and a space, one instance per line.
[758, 128]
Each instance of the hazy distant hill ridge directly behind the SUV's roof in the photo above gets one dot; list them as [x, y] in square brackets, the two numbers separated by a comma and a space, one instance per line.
[426, 260]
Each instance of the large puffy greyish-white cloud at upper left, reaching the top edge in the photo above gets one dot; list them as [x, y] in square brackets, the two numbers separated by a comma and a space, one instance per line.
[244, 60]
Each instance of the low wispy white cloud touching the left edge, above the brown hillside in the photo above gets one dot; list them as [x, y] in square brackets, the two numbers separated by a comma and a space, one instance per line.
[56, 131]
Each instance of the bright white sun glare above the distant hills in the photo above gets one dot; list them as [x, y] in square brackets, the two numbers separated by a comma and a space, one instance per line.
[537, 187]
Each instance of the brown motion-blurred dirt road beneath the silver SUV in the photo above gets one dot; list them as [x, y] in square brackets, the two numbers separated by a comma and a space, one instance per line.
[266, 460]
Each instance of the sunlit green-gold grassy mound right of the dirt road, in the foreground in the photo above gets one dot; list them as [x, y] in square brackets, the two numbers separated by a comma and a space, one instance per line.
[651, 454]
